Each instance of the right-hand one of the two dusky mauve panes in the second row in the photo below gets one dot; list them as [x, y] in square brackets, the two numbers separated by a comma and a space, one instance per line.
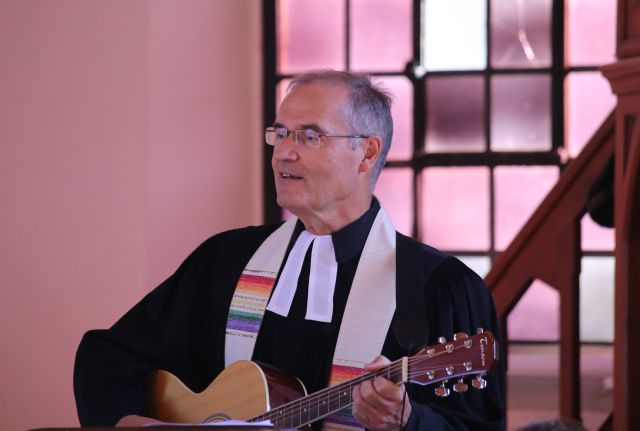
[520, 113]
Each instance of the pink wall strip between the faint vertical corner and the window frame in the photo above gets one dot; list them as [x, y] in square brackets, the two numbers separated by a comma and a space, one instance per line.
[205, 97]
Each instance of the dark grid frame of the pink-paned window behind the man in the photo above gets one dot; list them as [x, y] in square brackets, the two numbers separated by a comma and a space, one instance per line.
[420, 159]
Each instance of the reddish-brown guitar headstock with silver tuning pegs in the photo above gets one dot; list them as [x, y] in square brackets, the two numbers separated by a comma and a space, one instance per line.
[463, 356]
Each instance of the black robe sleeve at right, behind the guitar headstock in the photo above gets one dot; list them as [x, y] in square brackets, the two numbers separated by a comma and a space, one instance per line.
[456, 300]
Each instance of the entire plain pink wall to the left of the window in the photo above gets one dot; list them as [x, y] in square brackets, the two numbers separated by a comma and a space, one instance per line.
[129, 132]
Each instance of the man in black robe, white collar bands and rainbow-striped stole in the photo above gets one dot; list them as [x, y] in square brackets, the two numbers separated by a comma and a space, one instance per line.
[317, 296]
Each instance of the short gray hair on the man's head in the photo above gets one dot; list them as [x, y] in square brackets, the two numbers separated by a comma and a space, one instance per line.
[368, 109]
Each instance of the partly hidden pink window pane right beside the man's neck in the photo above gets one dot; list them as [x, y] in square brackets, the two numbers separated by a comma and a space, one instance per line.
[394, 190]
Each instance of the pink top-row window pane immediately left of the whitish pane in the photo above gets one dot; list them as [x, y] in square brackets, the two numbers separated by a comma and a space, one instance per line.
[380, 34]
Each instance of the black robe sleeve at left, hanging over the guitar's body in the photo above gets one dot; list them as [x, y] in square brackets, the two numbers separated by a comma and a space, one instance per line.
[178, 327]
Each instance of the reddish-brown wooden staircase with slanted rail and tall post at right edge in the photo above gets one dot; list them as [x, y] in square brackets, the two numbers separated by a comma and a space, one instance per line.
[548, 247]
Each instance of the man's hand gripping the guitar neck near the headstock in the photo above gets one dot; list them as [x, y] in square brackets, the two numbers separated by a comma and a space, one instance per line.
[377, 403]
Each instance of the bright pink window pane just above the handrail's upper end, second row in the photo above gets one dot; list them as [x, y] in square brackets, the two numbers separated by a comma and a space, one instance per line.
[589, 101]
